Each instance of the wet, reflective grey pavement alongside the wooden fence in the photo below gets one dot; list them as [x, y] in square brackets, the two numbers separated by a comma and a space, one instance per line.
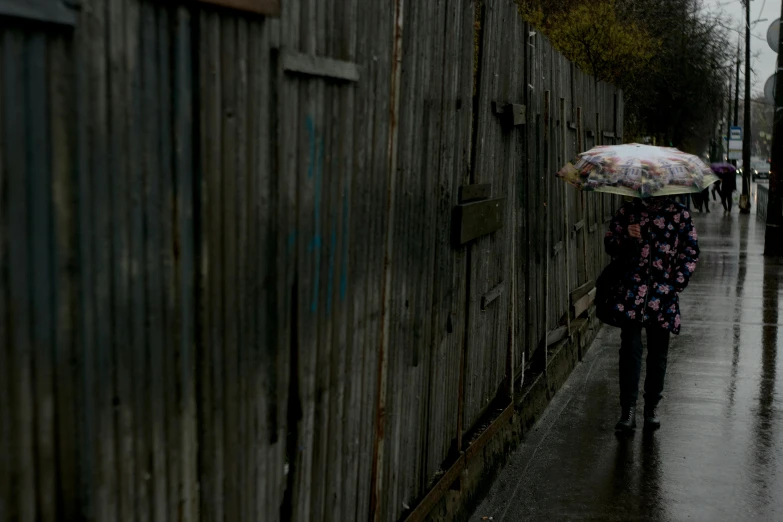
[719, 453]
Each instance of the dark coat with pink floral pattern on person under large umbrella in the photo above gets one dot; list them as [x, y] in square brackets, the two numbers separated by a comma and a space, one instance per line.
[658, 267]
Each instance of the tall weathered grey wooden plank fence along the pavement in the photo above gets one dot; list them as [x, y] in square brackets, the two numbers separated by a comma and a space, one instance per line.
[277, 266]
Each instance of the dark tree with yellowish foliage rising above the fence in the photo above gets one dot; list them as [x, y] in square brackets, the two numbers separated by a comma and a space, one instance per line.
[669, 56]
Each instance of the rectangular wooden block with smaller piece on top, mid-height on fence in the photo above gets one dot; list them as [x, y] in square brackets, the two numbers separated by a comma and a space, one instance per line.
[477, 213]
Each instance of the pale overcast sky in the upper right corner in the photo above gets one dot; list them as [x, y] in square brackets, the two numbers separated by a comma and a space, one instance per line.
[764, 63]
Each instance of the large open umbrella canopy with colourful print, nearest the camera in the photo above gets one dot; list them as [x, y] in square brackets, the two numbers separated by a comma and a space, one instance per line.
[639, 171]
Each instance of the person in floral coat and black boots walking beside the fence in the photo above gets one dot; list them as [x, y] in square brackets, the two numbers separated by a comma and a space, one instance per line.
[657, 244]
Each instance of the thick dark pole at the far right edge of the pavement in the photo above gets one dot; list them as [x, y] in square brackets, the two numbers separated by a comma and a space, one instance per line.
[773, 238]
